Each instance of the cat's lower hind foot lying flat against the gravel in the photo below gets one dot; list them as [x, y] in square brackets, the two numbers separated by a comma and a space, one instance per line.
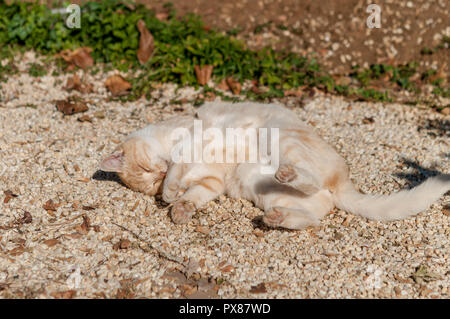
[289, 218]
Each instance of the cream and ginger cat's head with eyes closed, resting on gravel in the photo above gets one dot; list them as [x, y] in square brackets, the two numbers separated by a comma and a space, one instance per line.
[137, 166]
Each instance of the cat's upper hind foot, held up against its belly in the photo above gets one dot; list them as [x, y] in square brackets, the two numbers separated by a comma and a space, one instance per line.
[297, 178]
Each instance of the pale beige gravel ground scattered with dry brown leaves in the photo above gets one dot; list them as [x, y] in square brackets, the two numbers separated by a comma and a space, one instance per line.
[99, 239]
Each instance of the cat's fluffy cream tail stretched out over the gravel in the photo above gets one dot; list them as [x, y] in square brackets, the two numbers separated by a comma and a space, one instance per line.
[395, 206]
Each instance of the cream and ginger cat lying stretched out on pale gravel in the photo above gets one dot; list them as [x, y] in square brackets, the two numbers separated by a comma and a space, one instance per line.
[311, 178]
